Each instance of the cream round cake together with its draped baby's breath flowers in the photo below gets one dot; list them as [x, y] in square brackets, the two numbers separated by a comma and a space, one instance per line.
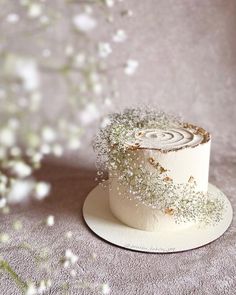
[158, 172]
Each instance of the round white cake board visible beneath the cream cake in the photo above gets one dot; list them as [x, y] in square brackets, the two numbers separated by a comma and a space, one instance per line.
[100, 220]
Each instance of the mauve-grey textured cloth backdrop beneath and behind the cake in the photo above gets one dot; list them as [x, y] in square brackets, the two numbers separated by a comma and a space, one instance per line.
[187, 56]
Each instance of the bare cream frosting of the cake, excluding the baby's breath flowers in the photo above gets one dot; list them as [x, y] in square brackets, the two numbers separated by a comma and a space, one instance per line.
[181, 157]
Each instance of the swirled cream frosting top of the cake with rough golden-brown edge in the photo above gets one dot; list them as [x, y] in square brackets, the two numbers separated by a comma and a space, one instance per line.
[168, 140]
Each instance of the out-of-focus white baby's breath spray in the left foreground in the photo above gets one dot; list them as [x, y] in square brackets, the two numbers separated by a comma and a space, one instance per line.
[51, 55]
